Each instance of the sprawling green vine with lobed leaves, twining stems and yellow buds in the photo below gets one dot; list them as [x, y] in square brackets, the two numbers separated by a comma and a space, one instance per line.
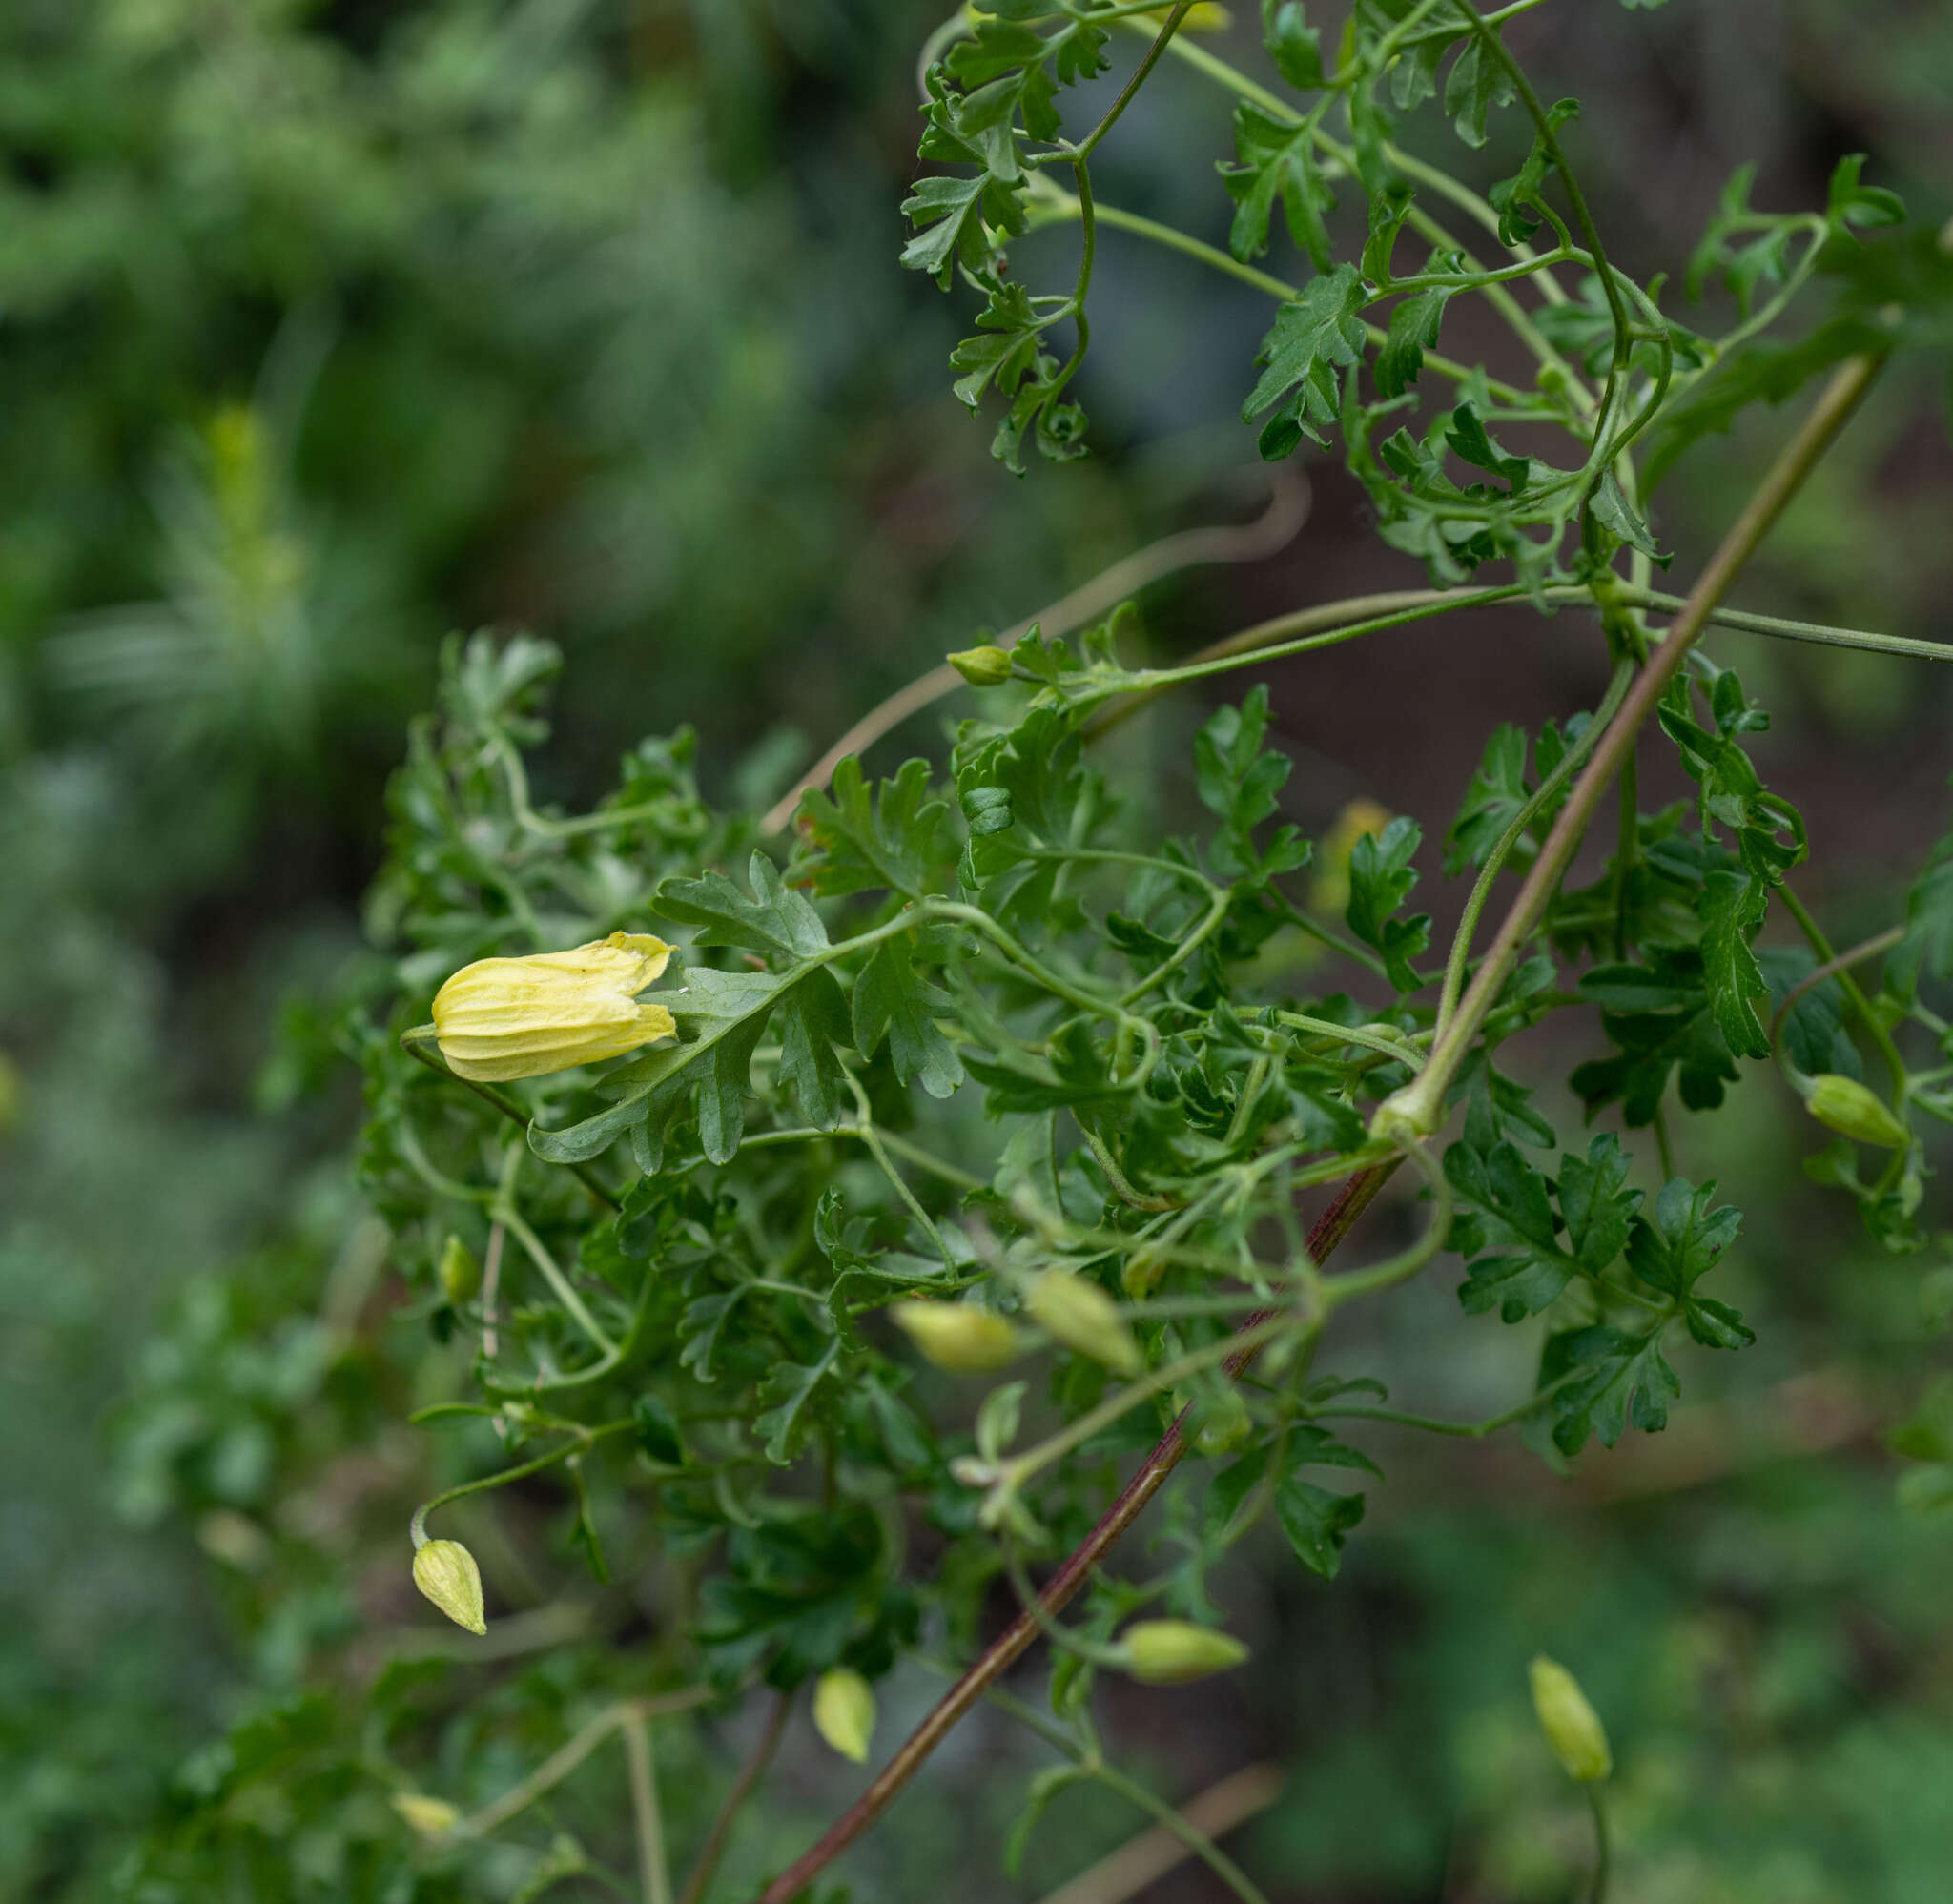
[979, 1073]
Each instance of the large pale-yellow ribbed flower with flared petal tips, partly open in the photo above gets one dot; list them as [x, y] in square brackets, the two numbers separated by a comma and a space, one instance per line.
[520, 1018]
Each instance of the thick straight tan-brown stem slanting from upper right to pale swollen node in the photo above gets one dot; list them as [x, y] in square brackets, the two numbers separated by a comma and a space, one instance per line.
[1419, 1108]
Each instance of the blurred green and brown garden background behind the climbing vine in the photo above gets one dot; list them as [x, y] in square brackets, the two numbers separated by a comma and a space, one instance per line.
[327, 329]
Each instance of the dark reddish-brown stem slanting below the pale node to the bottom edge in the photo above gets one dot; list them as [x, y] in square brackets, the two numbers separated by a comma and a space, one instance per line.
[1352, 1200]
